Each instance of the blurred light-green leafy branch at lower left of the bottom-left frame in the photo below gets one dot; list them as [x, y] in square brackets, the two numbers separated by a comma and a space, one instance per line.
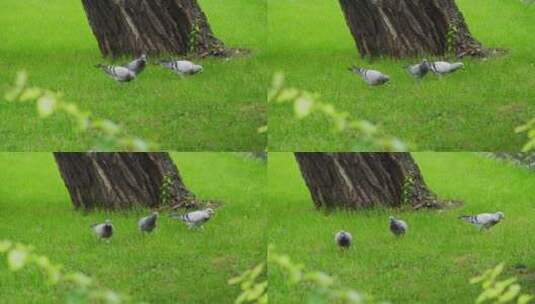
[82, 289]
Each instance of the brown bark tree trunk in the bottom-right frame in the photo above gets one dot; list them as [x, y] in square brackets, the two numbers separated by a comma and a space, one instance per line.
[362, 180]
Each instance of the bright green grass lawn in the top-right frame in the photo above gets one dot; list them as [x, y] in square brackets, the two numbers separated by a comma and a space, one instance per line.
[475, 109]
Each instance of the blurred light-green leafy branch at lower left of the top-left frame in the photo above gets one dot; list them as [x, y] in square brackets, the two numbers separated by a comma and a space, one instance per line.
[110, 136]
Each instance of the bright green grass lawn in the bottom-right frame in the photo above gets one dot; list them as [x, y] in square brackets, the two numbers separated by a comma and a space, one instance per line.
[435, 260]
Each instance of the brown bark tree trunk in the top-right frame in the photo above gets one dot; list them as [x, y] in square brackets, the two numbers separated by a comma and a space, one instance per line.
[407, 28]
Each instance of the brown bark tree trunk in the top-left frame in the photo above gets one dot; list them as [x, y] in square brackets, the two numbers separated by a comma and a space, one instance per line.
[136, 27]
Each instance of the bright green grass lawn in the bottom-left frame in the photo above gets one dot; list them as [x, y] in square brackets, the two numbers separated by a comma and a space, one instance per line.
[173, 265]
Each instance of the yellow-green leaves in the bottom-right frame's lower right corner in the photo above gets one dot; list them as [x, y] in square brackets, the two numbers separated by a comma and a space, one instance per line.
[505, 291]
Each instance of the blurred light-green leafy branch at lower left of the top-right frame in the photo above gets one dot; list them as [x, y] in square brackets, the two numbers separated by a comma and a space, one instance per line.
[369, 137]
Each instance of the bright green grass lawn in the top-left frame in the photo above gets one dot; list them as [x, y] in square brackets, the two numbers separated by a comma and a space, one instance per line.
[218, 110]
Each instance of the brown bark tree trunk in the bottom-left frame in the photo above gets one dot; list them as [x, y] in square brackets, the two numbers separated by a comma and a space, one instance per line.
[121, 180]
